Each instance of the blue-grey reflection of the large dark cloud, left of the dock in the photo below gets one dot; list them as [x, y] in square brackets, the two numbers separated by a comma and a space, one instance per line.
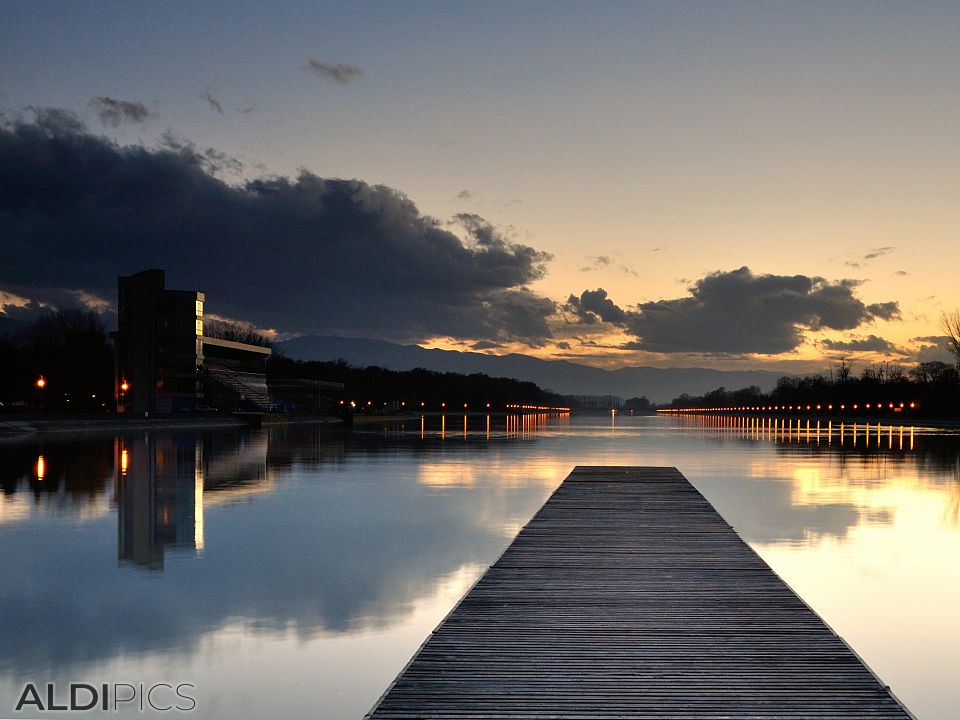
[337, 547]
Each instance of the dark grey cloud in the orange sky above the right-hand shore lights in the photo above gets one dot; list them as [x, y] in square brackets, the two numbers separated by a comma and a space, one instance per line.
[737, 312]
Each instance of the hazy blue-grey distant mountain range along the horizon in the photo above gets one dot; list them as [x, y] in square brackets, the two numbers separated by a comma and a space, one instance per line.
[657, 384]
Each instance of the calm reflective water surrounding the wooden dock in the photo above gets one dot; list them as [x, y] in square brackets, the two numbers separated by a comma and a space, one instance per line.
[292, 572]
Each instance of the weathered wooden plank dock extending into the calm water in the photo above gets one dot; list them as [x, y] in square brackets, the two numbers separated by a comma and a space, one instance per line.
[628, 596]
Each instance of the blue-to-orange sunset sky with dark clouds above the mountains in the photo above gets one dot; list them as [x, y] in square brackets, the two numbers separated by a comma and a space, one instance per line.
[734, 185]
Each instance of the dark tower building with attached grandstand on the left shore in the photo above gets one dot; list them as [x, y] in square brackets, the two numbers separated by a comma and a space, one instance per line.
[164, 362]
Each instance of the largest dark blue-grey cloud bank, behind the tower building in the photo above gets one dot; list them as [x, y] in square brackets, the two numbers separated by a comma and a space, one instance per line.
[303, 254]
